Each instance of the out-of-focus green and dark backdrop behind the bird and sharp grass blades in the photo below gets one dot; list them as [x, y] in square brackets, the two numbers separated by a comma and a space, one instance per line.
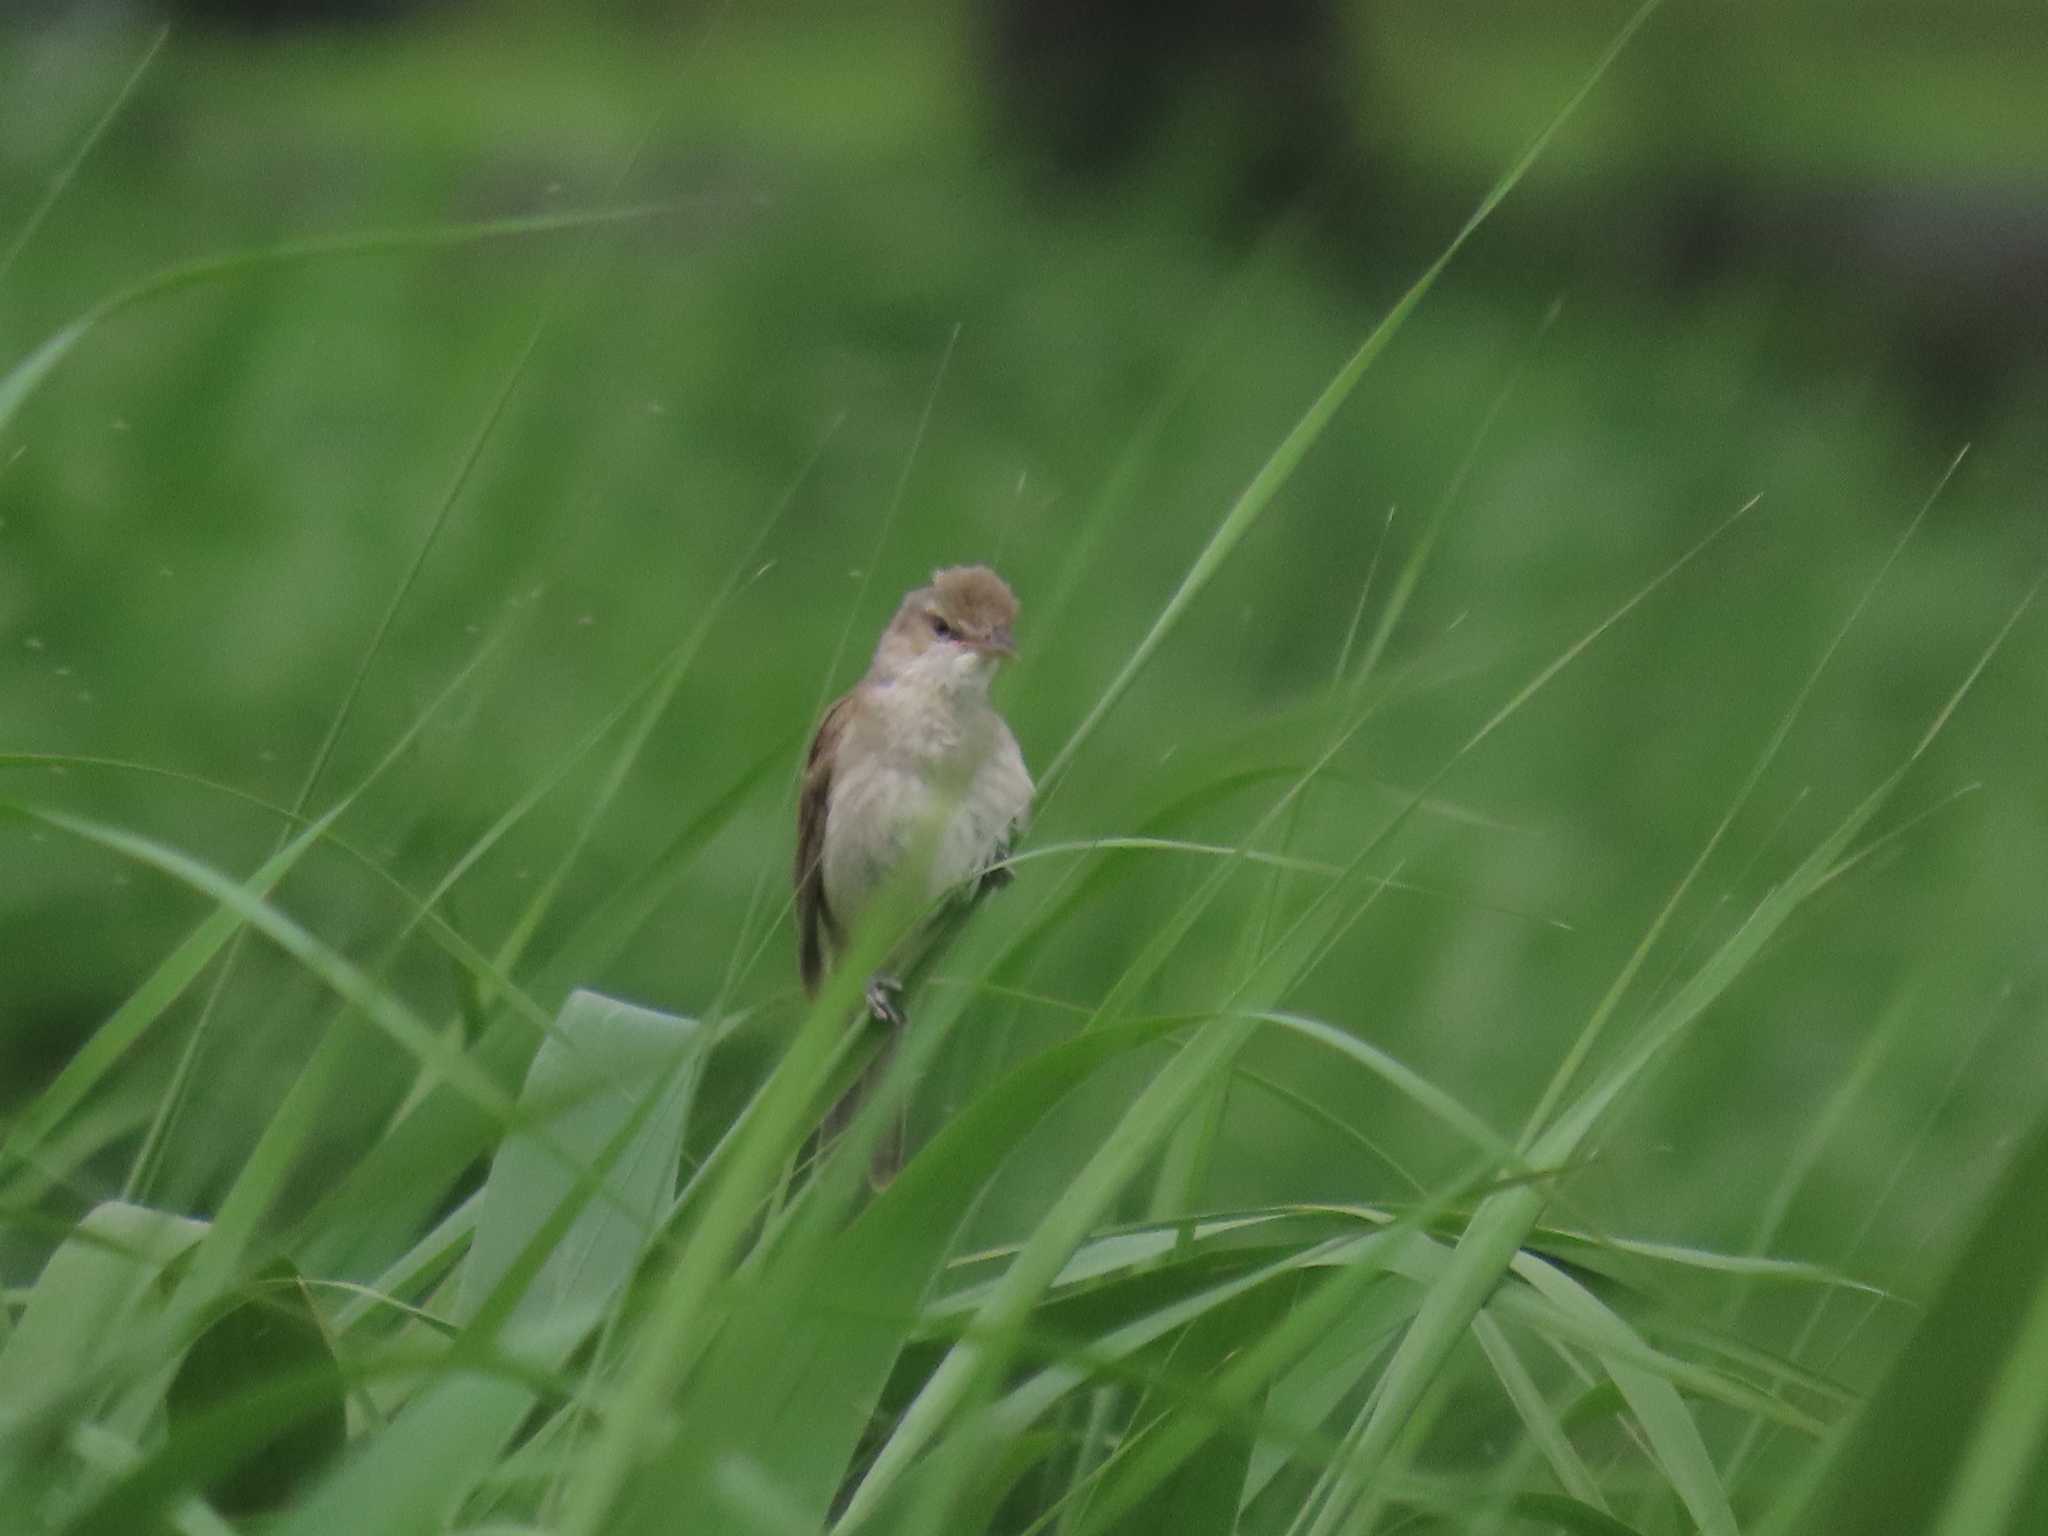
[1029, 259]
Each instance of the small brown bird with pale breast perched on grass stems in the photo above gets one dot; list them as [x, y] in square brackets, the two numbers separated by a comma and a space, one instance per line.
[912, 763]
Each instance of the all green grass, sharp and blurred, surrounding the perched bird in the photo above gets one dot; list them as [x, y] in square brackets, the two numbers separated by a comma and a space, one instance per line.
[1523, 1002]
